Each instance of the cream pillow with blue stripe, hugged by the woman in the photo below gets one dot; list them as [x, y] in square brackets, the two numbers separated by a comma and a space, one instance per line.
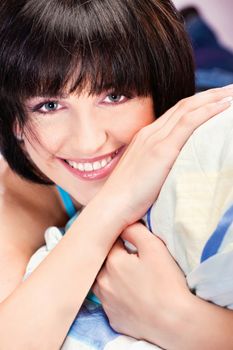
[193, 214]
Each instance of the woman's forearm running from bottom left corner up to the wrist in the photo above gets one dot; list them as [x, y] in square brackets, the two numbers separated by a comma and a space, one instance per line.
[47, 302]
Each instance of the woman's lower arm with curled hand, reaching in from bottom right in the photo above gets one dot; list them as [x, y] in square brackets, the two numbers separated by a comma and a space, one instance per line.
[145, 296]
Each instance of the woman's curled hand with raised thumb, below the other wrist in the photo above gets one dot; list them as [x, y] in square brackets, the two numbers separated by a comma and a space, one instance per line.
[142, 294]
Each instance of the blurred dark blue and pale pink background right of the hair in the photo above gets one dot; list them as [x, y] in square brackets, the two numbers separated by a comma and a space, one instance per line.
[210, 27]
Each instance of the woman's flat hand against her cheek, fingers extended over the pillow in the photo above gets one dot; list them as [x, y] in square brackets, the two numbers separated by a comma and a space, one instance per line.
[136, 181]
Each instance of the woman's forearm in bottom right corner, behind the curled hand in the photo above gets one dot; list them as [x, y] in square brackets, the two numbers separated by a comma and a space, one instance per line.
[195, 324]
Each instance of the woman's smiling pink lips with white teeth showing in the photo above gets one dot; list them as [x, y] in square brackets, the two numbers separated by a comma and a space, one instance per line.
[95, 168]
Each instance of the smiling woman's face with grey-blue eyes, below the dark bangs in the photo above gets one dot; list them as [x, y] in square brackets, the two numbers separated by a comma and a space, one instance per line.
[78, 140]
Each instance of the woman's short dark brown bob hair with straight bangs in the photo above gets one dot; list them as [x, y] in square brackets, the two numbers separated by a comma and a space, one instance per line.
[49, 46]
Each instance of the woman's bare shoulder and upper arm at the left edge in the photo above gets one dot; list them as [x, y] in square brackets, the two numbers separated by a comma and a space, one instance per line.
[24, 216]
